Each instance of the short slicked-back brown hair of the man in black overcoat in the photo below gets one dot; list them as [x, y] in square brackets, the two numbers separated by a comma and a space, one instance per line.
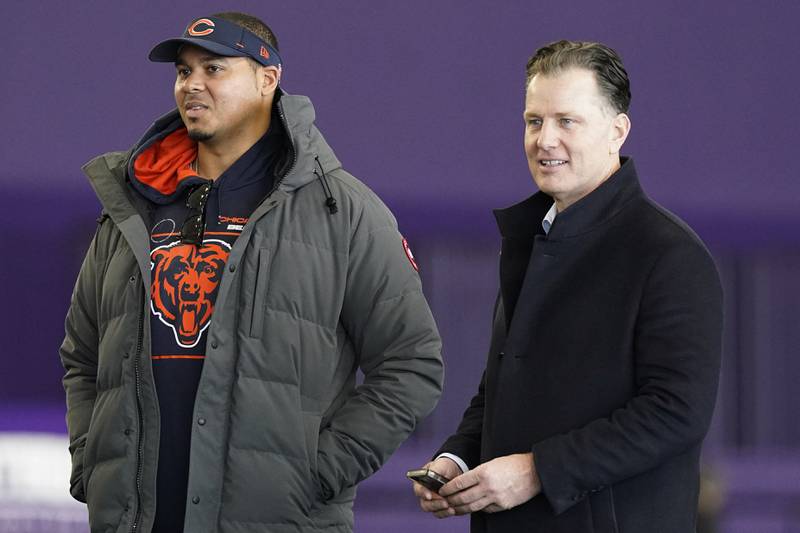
[603, 61]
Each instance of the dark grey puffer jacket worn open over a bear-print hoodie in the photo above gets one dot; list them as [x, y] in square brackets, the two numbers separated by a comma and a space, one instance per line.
[283, 433]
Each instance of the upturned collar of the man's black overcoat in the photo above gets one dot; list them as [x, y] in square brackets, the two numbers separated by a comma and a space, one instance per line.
[523, 220]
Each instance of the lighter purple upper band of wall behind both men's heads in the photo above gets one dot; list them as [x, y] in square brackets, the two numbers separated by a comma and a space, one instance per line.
[424, 99]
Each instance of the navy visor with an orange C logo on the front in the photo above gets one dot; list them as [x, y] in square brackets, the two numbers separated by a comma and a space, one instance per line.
[221, 37]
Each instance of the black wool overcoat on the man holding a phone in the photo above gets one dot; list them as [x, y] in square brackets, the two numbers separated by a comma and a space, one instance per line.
[604, 362]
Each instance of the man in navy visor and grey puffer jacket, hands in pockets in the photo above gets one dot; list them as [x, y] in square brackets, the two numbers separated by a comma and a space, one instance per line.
[237, 279]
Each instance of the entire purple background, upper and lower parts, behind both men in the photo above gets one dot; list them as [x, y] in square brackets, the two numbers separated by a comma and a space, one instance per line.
[423, 101]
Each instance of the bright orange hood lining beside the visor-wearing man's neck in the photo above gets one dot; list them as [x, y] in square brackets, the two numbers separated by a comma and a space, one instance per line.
[165, 163]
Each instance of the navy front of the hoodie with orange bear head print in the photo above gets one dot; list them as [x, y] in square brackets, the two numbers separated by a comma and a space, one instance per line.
[185, 280]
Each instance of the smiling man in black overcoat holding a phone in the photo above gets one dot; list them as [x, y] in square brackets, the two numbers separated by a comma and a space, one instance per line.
[604, 361]
